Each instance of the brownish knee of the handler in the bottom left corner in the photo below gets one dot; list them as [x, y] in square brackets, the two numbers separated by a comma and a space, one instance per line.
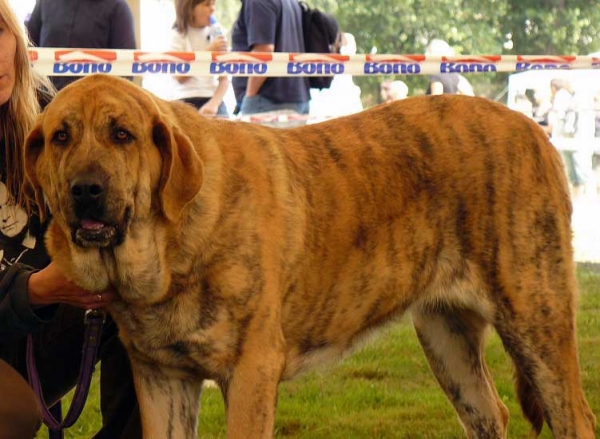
[20, 415]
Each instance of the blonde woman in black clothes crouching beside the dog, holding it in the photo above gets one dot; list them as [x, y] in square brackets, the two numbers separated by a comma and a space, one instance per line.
[35, 296]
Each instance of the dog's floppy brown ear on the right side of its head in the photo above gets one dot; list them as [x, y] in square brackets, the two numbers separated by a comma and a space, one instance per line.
[182, 170]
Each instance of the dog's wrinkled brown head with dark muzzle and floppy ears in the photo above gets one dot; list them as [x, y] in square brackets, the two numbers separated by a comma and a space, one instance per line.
[106, 153]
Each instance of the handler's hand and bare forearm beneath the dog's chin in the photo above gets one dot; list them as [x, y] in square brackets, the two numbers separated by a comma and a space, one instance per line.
[50, 285]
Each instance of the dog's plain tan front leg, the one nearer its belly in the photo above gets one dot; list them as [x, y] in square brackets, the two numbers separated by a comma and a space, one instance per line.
[251, 395]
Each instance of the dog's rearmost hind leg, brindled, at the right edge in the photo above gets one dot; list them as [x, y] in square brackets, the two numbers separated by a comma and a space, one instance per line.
[538, 331]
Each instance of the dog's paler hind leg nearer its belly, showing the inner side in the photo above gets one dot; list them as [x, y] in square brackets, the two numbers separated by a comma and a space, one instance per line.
[453, 341]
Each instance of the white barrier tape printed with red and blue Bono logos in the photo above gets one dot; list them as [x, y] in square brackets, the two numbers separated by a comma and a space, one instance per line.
[80, 62]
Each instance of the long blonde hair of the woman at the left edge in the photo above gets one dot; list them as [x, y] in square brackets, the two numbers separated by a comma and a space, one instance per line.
[18, 115]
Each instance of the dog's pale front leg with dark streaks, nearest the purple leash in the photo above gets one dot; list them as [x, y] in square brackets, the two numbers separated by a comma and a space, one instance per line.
[169, 405]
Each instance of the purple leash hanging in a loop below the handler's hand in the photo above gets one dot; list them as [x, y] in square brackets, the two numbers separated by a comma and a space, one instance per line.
[94, 319]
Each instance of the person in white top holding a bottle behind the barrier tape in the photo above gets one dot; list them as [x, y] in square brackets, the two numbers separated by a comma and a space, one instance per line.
[192, 32]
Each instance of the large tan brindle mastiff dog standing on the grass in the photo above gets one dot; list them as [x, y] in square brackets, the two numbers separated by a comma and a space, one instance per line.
[248, 254]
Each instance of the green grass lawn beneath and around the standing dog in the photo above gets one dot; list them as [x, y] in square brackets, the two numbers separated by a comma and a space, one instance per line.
[387, 391]
